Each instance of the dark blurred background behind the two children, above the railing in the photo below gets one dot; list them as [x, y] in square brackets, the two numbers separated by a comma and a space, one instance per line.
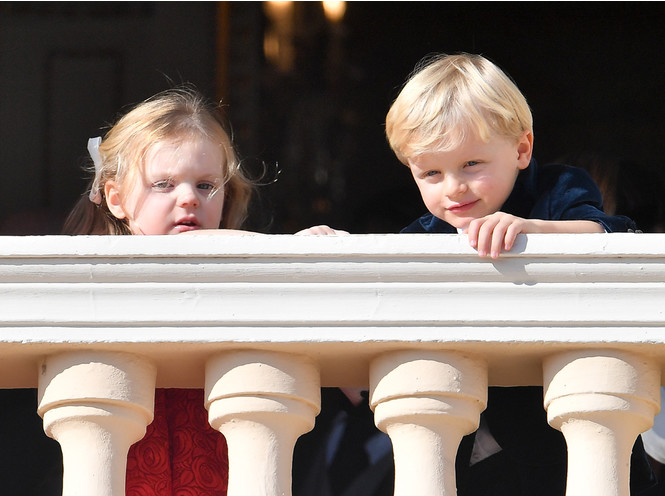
[306, 87]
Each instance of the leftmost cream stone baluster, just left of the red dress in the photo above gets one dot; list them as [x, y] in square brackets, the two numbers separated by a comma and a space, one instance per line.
[96, 405]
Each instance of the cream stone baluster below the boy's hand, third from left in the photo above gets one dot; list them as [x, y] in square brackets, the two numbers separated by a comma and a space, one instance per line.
[426, 401]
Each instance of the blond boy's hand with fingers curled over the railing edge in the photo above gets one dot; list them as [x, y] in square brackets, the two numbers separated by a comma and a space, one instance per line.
[492, 233]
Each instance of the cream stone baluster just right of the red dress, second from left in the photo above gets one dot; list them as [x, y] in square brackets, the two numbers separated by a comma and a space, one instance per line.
[262, 402]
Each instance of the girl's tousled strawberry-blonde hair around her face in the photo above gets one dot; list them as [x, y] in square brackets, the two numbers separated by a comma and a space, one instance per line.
[176, 114]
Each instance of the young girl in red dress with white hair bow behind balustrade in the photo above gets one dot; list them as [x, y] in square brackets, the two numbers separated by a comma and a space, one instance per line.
[168, 167]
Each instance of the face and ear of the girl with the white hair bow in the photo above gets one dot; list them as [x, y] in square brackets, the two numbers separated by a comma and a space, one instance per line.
[181, 189]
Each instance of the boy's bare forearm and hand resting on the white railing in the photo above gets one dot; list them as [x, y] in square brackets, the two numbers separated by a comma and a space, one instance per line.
[490, 234]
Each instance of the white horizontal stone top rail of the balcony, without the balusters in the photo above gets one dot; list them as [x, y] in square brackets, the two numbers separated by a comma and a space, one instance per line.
[341, 300]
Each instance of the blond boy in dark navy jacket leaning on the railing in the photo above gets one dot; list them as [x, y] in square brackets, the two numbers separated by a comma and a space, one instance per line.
[465, 131]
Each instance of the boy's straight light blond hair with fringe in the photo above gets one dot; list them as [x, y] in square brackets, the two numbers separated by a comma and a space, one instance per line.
[451, 97]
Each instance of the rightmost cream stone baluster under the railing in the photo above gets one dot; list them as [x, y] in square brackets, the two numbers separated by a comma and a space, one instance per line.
[601, 401]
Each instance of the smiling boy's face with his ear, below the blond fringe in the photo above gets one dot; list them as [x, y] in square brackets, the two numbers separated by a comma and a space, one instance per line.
[473, 180]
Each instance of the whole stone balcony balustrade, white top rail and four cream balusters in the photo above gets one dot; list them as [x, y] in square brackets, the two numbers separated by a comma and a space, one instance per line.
[261, 322]
